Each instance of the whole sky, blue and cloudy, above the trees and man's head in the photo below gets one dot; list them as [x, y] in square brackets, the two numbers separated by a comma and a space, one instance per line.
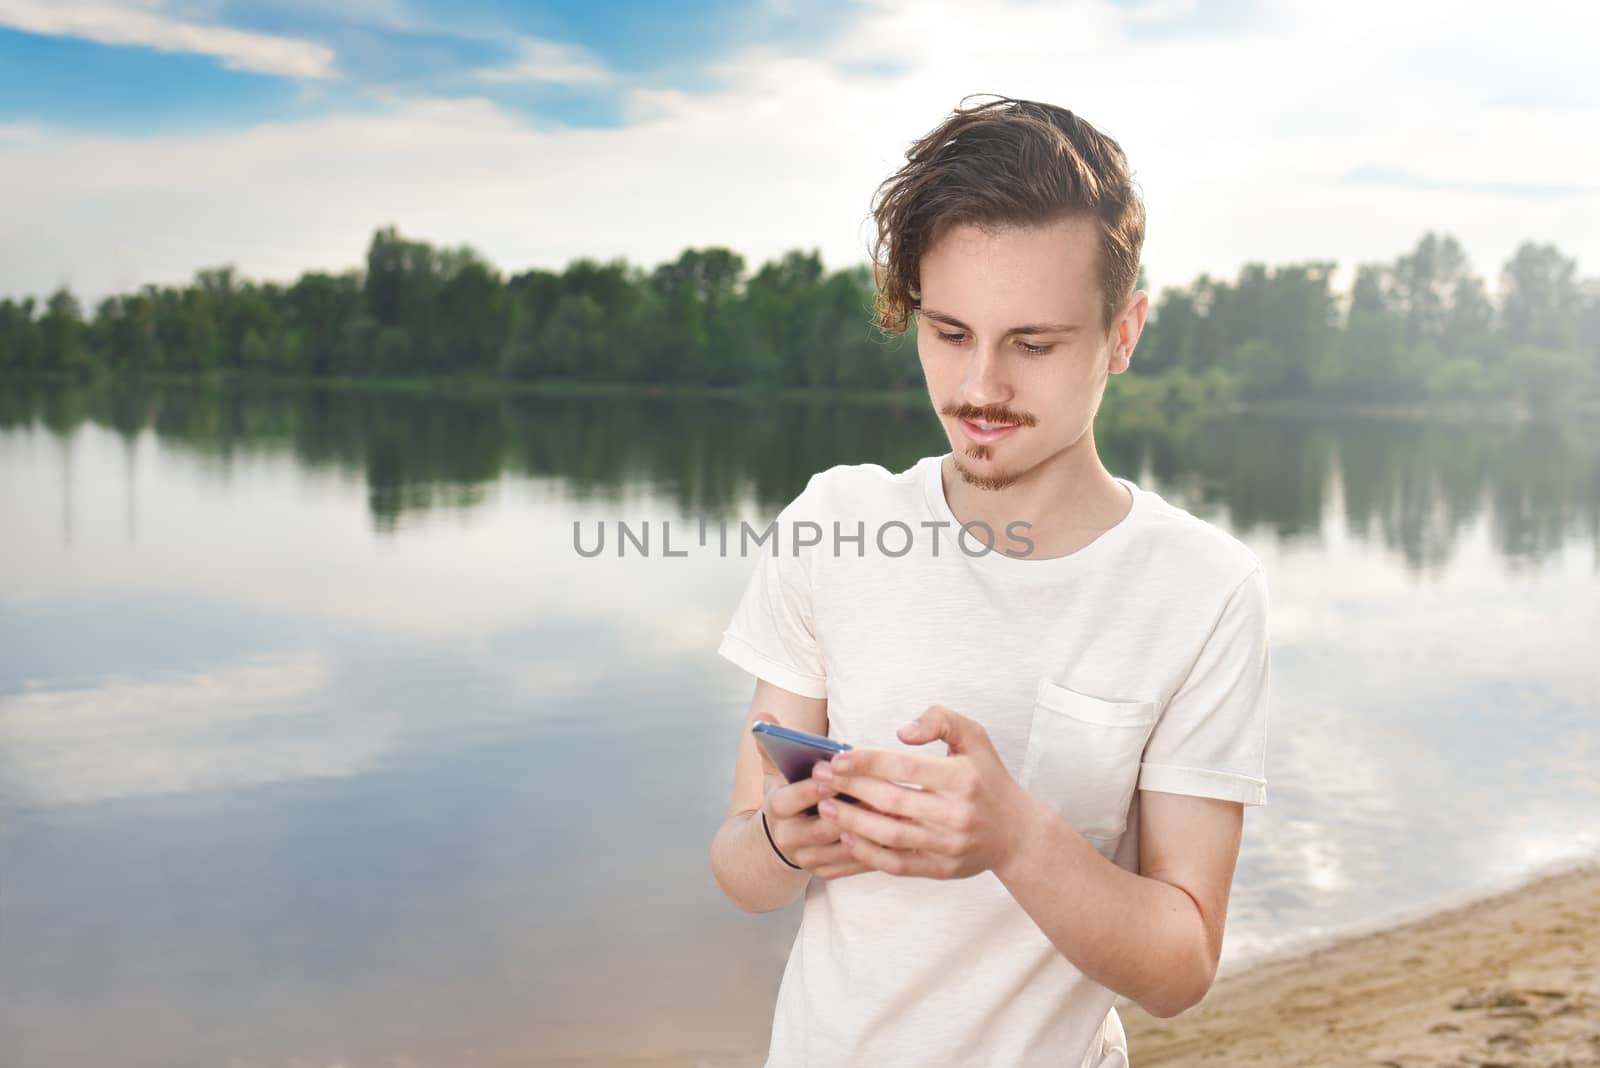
[145, 140]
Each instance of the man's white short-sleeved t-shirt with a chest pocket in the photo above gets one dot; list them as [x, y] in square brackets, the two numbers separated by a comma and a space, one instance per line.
[1137, 661]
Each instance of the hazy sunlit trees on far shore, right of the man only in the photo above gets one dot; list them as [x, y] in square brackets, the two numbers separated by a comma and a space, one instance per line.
[1418, 329]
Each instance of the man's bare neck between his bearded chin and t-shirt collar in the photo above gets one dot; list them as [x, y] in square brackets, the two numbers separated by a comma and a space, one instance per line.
[1070, 500]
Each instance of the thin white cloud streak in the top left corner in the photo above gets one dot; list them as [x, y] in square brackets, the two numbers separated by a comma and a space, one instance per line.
[145, 26]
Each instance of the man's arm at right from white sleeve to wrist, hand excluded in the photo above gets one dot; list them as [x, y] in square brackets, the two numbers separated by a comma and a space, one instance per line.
[1158, 936]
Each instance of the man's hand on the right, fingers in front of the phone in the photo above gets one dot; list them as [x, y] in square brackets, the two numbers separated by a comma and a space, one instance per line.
[967, 818]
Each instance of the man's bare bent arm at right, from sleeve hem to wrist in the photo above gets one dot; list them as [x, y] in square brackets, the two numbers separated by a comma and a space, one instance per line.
[1156, 936]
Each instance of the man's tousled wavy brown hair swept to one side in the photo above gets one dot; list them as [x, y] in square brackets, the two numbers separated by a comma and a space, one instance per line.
[1004, 164]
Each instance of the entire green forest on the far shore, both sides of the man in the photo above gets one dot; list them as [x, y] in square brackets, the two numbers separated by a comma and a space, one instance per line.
[1420, 329]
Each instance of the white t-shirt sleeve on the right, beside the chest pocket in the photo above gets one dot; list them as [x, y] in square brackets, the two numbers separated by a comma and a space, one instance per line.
[1212, 736]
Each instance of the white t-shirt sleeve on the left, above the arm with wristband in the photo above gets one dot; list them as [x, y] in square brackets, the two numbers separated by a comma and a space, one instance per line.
[774, 629]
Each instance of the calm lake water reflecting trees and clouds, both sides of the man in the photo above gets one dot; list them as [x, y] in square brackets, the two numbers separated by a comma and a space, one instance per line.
[321, 746]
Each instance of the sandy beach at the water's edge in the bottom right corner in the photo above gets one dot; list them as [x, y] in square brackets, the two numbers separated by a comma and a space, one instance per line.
[1510, 981]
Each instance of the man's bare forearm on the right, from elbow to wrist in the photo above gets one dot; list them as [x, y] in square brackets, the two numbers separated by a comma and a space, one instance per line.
[1137, 936]
